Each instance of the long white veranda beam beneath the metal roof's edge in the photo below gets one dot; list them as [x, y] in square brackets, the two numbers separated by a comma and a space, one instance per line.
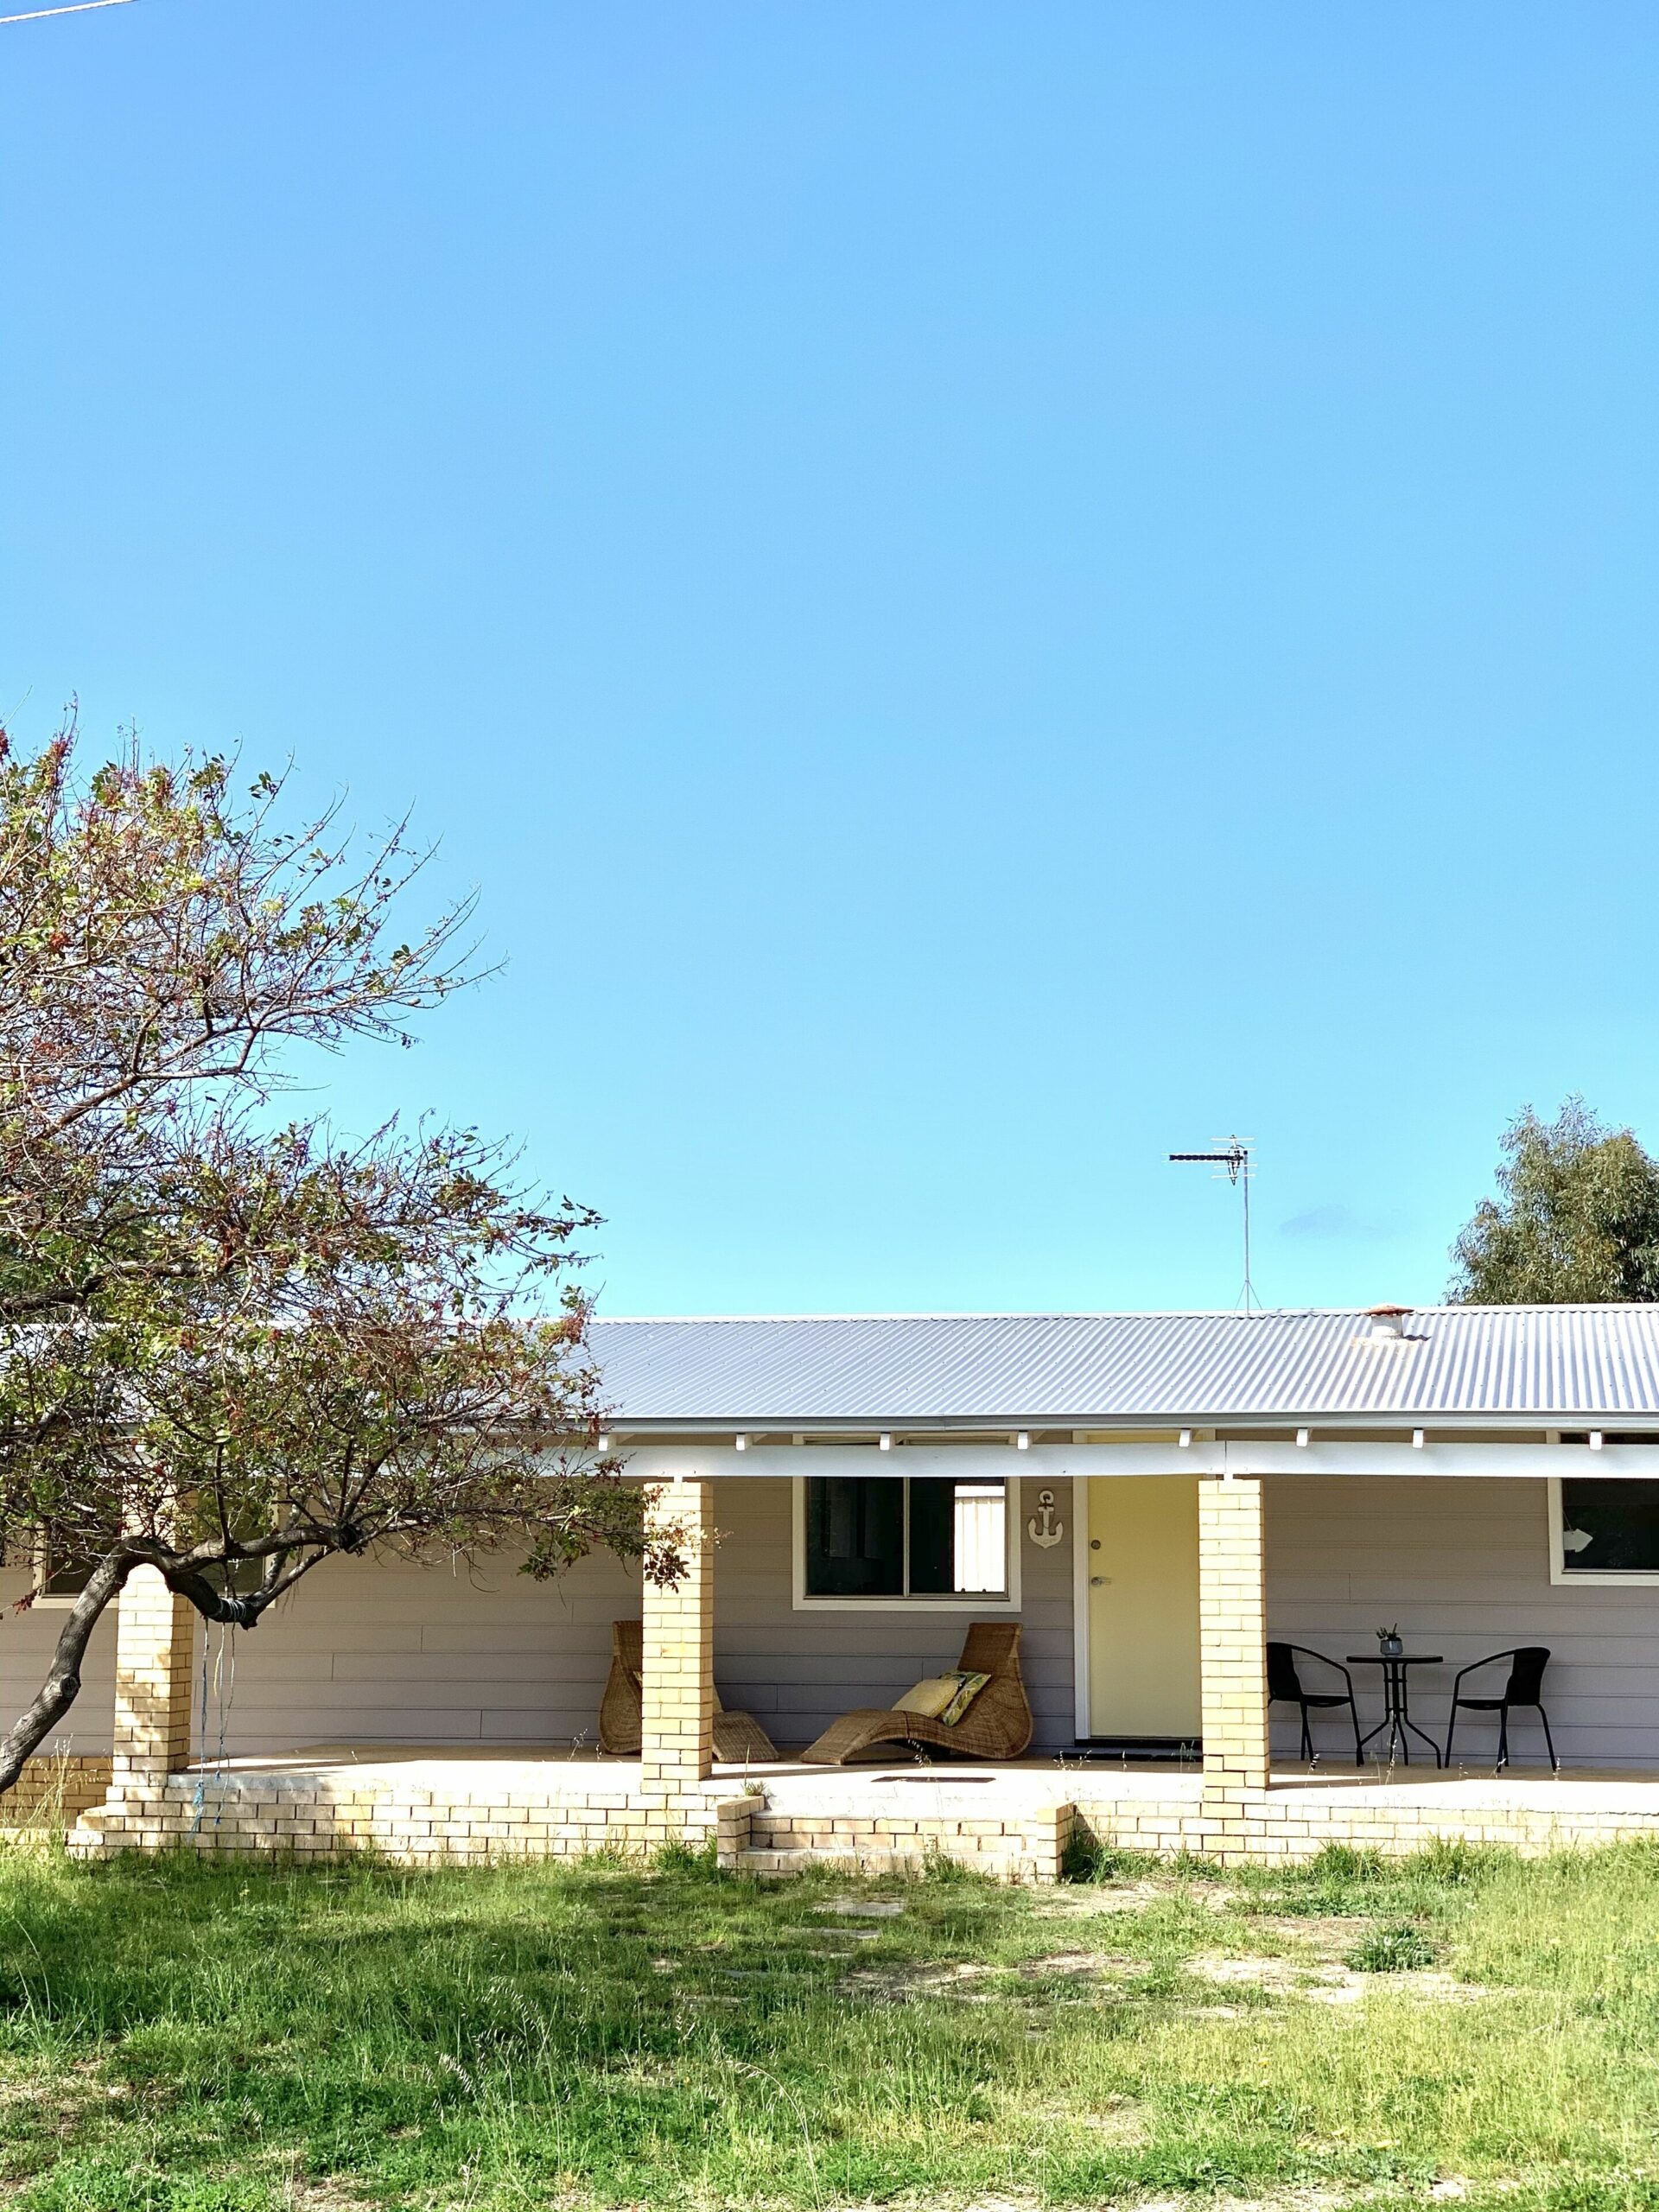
[665, 1463]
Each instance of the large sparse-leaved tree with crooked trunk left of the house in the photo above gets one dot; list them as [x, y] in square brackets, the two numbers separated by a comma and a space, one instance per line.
[233, 1348]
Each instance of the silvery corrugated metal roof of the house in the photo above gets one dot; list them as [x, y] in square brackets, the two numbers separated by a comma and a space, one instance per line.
[1065, 1370]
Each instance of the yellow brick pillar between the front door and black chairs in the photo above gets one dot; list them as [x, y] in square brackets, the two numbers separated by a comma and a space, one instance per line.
[1233, 1658]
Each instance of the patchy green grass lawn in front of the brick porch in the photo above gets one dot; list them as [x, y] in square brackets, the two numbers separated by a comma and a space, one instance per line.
[229, 2041]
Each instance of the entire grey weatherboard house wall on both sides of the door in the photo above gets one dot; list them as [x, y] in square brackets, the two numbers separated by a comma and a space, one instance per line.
[371, 1653]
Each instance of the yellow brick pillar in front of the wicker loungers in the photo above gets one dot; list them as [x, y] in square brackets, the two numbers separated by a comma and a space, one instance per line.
[678, 1673]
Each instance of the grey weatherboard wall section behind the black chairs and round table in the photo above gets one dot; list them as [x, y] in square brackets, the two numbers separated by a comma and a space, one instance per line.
[1463, 1567]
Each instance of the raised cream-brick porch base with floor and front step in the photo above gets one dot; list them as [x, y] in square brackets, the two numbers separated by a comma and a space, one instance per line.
[477, 1804]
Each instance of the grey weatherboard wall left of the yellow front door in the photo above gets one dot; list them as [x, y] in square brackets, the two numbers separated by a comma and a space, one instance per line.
[384, 1653]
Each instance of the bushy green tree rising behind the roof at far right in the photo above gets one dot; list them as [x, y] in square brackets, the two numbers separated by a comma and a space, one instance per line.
[1576, 1220]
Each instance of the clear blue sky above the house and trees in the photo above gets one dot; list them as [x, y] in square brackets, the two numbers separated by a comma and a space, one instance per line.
[983, 592]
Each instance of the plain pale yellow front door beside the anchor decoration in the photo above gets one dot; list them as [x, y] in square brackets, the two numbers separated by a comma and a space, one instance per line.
[1145, 1607]
